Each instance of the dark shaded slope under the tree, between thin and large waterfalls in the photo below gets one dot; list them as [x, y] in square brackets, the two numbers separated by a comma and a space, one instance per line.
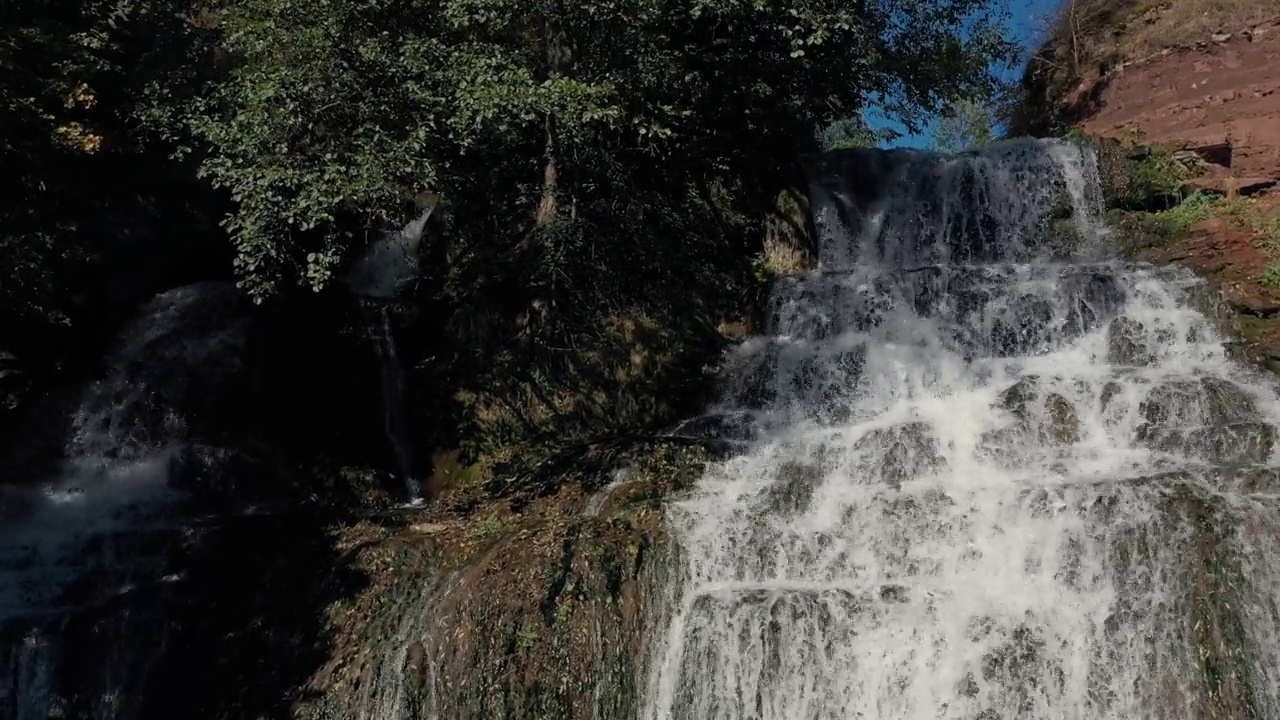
[605, 327]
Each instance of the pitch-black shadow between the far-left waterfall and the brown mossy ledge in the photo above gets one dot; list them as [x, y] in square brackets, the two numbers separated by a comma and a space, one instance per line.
[246, 625]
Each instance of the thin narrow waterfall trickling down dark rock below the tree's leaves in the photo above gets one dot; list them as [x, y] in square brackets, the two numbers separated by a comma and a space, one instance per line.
[378, 277]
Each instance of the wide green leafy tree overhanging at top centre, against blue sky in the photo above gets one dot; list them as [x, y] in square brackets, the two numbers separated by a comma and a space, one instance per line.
[339, 113]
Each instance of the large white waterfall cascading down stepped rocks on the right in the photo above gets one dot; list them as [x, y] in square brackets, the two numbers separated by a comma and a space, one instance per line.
[989, 481]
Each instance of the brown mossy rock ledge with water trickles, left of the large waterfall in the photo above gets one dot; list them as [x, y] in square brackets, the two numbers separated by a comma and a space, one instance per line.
[504, 614]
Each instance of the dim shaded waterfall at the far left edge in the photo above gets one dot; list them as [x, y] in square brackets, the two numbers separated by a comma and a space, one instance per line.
[84, 555]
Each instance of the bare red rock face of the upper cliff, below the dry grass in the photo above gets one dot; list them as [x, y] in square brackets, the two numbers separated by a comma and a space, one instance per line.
[1227, 90]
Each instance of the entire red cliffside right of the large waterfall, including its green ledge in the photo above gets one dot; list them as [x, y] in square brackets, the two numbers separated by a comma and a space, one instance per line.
[1186, 93]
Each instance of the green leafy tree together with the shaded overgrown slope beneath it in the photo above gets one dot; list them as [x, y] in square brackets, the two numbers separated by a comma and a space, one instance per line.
[605, 168]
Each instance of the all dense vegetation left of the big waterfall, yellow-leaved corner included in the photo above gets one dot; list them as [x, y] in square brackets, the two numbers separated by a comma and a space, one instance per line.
[605, 174]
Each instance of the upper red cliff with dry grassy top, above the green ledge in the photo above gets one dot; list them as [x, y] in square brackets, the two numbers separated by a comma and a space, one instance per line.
[1199, 74]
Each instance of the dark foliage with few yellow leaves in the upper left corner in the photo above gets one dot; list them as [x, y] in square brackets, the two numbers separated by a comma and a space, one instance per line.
[74, 78]
